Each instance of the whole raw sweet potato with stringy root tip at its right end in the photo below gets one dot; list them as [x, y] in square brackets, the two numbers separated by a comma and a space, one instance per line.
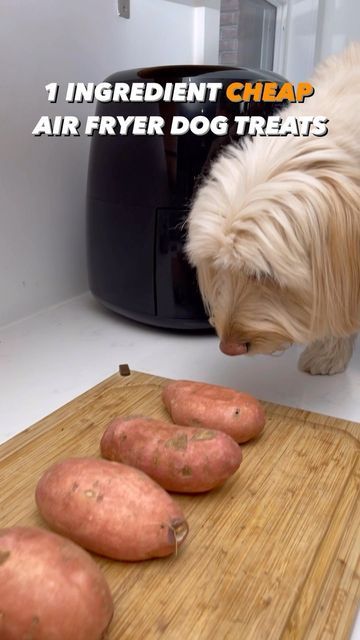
[111, 509]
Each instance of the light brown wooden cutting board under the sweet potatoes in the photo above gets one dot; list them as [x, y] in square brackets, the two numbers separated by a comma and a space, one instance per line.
[273, 554]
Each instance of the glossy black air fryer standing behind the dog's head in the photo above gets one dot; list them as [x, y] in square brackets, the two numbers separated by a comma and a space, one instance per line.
[139, 191]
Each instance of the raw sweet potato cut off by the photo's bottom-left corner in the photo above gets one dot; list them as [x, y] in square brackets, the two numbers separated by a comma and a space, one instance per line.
[50, 588]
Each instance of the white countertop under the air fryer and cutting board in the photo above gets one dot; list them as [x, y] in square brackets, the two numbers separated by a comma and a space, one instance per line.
[50, 358]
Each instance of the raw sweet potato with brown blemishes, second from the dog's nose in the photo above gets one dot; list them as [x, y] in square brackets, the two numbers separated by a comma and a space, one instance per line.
[181, 459]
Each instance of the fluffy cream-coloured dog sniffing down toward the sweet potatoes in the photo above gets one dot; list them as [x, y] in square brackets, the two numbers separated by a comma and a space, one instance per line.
[274, 232]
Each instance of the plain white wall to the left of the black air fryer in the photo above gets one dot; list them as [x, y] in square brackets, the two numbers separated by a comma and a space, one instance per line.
[43, 180]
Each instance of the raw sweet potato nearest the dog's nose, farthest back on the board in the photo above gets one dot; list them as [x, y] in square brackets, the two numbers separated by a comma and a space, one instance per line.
[199, 404]
